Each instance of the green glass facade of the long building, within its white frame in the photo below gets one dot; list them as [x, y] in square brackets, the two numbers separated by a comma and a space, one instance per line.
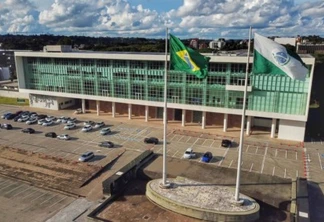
[144, 80]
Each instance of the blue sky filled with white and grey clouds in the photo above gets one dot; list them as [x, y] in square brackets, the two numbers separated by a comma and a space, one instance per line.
[149, 18]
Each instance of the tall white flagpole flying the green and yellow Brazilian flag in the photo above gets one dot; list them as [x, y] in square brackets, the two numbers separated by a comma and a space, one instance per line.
[165, 113]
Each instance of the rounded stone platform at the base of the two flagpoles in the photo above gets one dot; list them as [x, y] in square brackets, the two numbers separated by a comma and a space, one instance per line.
[202, 201]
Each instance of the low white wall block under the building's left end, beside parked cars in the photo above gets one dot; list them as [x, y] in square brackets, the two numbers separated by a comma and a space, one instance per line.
[44, 102]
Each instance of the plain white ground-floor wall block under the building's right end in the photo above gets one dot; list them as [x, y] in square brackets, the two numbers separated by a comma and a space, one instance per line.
[291, 130]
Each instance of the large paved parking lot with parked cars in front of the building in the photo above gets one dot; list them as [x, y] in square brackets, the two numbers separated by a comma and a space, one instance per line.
[263, 158]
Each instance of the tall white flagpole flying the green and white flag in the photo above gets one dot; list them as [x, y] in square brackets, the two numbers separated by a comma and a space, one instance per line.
[239, 161]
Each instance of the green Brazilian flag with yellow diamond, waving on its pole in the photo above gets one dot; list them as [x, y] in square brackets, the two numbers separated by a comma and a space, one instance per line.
[185, 59]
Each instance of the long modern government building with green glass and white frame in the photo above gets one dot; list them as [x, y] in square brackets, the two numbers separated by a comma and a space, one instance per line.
[133, 84]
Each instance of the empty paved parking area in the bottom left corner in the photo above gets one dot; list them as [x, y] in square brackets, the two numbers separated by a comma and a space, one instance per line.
[34, 203]
